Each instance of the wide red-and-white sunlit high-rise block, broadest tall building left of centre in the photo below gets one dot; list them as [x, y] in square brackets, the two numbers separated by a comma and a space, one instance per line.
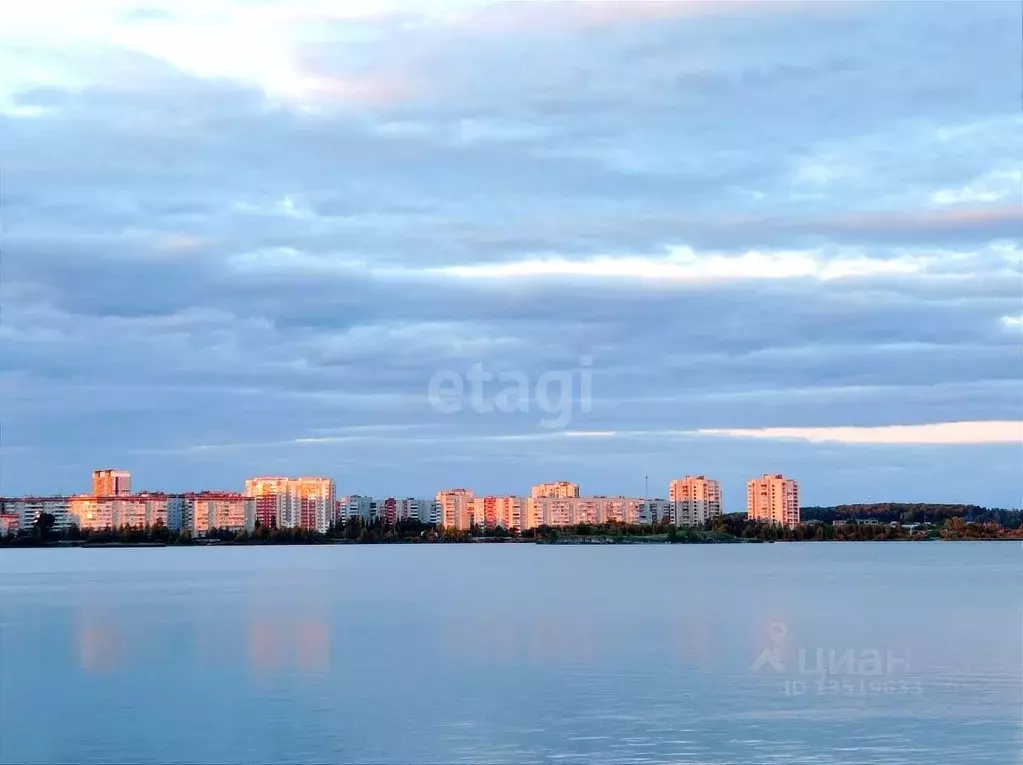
[294, 504]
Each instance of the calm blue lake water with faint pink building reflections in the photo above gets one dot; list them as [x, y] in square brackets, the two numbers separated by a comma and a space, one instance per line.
[513, 654]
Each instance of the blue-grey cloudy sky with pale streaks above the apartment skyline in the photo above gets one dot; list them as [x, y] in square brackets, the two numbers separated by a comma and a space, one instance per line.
[243, 237]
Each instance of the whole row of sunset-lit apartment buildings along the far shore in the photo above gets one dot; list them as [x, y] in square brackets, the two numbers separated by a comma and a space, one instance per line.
[312, 504]
